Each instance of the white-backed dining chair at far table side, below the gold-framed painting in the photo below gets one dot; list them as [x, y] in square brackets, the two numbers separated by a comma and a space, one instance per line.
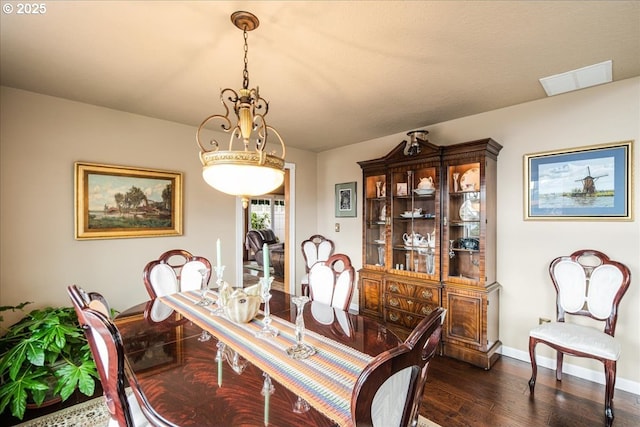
[174, 271]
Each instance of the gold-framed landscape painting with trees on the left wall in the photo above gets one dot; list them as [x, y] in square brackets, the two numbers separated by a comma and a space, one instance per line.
[121, 201]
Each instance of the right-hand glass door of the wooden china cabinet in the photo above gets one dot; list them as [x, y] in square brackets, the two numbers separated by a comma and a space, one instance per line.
[463, 210]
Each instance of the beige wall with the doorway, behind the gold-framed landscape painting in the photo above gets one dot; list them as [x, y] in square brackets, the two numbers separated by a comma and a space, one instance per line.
[40, 139]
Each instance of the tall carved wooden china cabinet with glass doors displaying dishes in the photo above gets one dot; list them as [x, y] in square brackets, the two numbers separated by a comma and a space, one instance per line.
[429, 240]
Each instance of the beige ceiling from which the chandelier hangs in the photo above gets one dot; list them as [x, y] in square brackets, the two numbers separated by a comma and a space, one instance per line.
[334, 72]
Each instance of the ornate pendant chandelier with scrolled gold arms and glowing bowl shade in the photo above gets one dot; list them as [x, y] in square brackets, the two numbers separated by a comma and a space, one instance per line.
[250, 169]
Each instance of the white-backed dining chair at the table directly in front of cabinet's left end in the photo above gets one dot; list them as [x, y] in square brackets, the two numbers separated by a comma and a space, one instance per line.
[331, 282]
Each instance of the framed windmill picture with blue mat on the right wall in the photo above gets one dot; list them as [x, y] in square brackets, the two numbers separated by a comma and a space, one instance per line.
[586, 183]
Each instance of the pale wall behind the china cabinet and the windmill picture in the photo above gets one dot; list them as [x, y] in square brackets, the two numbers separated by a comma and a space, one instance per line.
[597, 115]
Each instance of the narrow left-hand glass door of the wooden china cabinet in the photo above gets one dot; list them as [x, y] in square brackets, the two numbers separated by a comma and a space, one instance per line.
[375, 188]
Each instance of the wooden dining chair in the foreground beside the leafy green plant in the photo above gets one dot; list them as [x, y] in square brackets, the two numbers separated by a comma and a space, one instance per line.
[106, 347]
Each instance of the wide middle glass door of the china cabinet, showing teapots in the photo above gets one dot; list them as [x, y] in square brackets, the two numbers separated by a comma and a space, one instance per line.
[415, 218]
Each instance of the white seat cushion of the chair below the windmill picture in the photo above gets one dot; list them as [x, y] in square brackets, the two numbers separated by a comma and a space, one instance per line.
[579, 338]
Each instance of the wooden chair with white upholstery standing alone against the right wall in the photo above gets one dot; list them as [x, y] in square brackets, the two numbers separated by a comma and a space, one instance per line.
[588, 284]
